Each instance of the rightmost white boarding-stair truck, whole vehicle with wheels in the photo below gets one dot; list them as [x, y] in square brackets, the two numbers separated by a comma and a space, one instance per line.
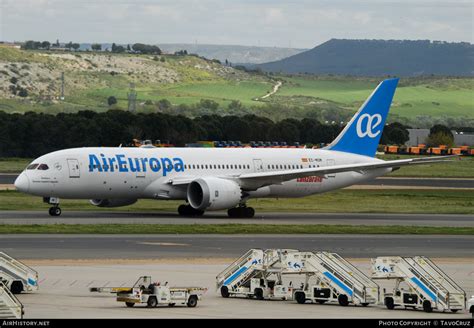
[420, 284]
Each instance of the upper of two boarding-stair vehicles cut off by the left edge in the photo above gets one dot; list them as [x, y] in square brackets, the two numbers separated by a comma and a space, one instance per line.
[17, 276]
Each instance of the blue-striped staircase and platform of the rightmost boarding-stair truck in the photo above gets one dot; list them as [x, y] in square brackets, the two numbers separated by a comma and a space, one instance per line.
[424, 278]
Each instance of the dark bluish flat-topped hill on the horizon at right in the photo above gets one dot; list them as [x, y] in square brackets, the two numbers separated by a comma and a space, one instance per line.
[380, 58]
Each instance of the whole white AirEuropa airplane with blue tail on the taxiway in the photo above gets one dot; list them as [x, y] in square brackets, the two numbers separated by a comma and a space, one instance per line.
[210, 179]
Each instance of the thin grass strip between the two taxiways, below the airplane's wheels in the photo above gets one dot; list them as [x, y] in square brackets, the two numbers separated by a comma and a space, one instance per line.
[227, 229]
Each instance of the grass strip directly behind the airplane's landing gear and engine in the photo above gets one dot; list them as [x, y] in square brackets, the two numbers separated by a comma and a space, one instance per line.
[345, 201]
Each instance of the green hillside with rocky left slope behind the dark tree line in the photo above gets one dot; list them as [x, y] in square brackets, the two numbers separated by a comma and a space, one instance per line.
[90, 78]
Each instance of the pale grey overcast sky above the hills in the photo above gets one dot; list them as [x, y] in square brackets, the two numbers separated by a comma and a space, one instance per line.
[296, 23]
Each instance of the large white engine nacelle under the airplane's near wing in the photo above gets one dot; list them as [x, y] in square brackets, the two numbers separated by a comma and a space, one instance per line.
[213, 194]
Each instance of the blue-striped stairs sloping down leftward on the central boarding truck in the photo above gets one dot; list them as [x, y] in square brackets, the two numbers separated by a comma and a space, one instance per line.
[254, 263]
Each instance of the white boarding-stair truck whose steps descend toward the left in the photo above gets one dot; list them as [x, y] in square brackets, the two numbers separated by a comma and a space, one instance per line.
[257, 274]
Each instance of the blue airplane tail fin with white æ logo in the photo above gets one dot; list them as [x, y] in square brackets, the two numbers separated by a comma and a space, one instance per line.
[362, 134]
